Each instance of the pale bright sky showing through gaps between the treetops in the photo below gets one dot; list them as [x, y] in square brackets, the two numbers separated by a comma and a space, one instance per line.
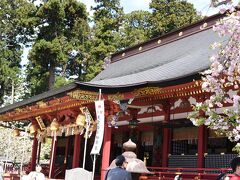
[131, 5]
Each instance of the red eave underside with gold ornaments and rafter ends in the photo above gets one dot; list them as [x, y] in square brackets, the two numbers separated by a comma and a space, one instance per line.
[78, 97]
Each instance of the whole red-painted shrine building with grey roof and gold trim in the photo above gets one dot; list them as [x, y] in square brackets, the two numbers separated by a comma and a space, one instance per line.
[149, 89]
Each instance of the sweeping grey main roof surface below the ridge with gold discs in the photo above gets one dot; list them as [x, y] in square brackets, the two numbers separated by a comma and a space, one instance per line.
[175, 60]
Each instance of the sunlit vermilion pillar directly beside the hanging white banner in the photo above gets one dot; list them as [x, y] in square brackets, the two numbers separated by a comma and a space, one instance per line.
[106, 150]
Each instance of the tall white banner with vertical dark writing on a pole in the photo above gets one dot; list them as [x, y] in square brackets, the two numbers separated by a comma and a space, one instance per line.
[99, 106]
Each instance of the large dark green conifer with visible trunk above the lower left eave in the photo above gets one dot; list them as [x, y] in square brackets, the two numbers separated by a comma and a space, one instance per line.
[59, 48]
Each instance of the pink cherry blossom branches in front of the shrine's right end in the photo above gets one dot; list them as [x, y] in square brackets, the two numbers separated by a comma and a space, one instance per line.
[221, 110]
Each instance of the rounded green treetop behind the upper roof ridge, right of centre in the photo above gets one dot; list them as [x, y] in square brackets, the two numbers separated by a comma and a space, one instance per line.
[168, 15]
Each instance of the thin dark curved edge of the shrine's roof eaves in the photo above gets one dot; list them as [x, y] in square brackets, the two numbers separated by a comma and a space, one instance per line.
[106, 89]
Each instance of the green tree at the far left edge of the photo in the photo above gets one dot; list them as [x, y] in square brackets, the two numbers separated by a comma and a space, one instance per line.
[15, 27]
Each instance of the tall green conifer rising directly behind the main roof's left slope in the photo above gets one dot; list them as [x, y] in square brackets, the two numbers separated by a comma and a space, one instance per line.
[107, 19]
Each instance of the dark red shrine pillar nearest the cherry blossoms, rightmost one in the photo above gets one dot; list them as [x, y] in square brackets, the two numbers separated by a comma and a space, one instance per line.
[202, 145]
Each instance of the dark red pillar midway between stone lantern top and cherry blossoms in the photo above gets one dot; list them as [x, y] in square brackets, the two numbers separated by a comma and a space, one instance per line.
[166, 136]
